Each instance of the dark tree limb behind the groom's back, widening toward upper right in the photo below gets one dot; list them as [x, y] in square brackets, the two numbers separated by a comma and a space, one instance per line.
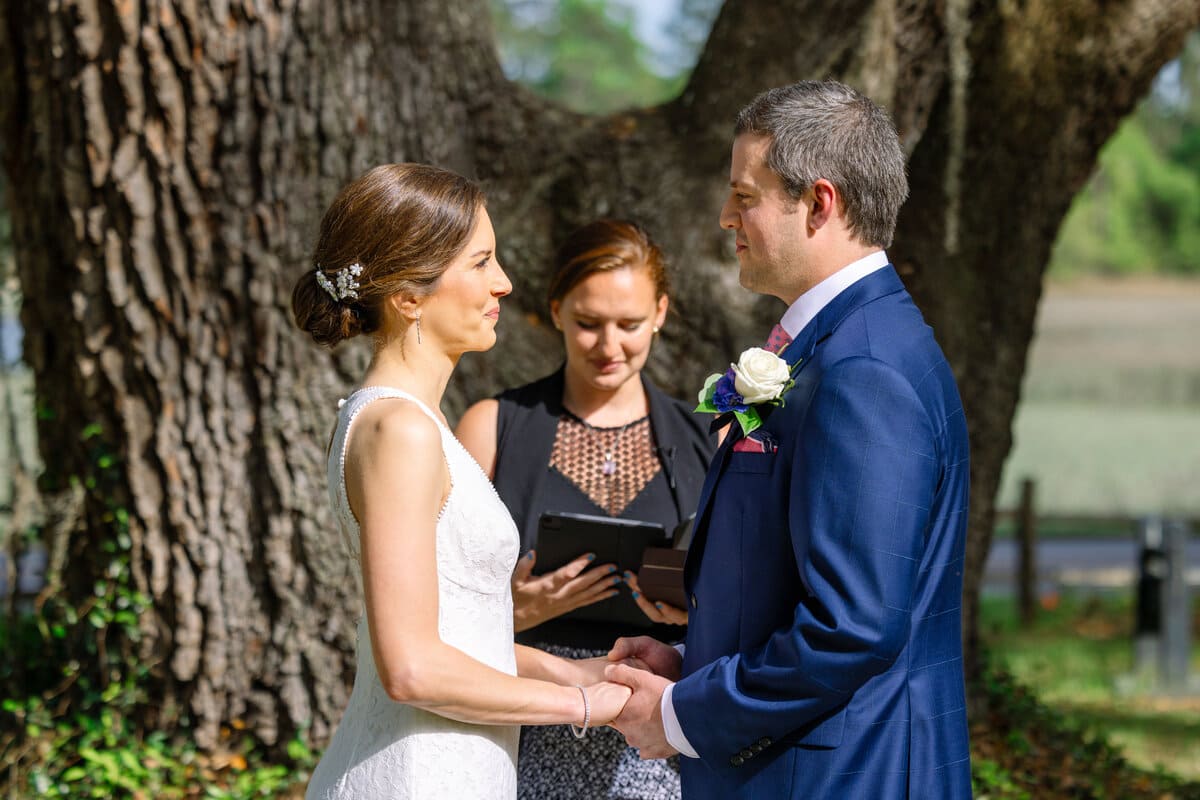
[1035, 91]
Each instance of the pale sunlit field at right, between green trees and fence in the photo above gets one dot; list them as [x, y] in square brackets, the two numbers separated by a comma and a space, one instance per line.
[1111, 416]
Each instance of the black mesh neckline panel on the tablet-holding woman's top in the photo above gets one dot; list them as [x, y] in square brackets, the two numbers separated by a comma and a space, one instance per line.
[611, 466]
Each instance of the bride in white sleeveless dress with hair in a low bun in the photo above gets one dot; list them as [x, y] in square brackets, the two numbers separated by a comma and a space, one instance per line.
[407, 255]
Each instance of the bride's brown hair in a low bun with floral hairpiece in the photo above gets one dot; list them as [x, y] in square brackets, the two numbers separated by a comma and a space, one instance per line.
[404, 224]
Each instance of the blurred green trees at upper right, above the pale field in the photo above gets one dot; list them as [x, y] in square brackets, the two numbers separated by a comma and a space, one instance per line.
[1141, 213]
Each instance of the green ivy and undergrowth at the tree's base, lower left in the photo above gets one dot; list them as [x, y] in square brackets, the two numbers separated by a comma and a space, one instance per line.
[74, 689]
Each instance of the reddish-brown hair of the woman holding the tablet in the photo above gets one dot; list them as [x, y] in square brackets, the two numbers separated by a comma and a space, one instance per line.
[603, 246]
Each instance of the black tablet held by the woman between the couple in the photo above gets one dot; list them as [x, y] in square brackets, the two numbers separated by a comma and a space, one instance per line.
[565, 537]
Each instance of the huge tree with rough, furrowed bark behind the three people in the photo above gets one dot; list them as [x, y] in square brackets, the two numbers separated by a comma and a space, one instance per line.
[170, 160]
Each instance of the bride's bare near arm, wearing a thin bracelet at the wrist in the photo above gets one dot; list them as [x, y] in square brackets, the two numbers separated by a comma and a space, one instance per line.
[397, 480]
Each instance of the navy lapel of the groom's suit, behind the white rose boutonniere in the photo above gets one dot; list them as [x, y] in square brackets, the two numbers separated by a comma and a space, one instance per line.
[878, 285]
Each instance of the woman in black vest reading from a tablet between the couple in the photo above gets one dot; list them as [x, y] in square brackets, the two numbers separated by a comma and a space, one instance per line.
[593, 438]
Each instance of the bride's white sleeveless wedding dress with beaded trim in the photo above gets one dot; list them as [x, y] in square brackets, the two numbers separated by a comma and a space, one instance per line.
[385, 750]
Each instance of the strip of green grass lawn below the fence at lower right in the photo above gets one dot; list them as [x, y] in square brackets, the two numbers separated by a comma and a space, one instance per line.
[1075, 658]
